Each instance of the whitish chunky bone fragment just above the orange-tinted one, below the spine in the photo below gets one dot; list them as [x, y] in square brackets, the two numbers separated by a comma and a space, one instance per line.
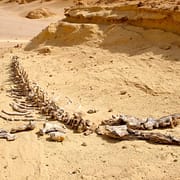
[49, 127]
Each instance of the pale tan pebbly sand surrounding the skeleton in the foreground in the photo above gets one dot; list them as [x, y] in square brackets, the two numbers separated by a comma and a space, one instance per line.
[94, 78]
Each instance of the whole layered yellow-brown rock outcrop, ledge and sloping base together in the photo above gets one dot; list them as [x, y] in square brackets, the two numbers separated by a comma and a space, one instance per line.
[124, 25]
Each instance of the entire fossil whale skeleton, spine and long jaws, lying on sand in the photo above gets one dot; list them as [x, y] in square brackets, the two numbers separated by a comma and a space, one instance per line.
[121, 127]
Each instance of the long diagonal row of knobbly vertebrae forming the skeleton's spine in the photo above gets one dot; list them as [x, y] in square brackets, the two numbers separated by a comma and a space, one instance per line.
[37, 96]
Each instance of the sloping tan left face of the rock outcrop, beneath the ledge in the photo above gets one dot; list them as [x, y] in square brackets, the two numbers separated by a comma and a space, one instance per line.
[63, 33]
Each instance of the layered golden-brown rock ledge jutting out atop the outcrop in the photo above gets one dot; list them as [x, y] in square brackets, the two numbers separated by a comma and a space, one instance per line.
[144, 16]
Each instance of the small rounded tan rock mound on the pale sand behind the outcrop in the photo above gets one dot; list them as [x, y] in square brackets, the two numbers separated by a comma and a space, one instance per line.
[39, 13]
